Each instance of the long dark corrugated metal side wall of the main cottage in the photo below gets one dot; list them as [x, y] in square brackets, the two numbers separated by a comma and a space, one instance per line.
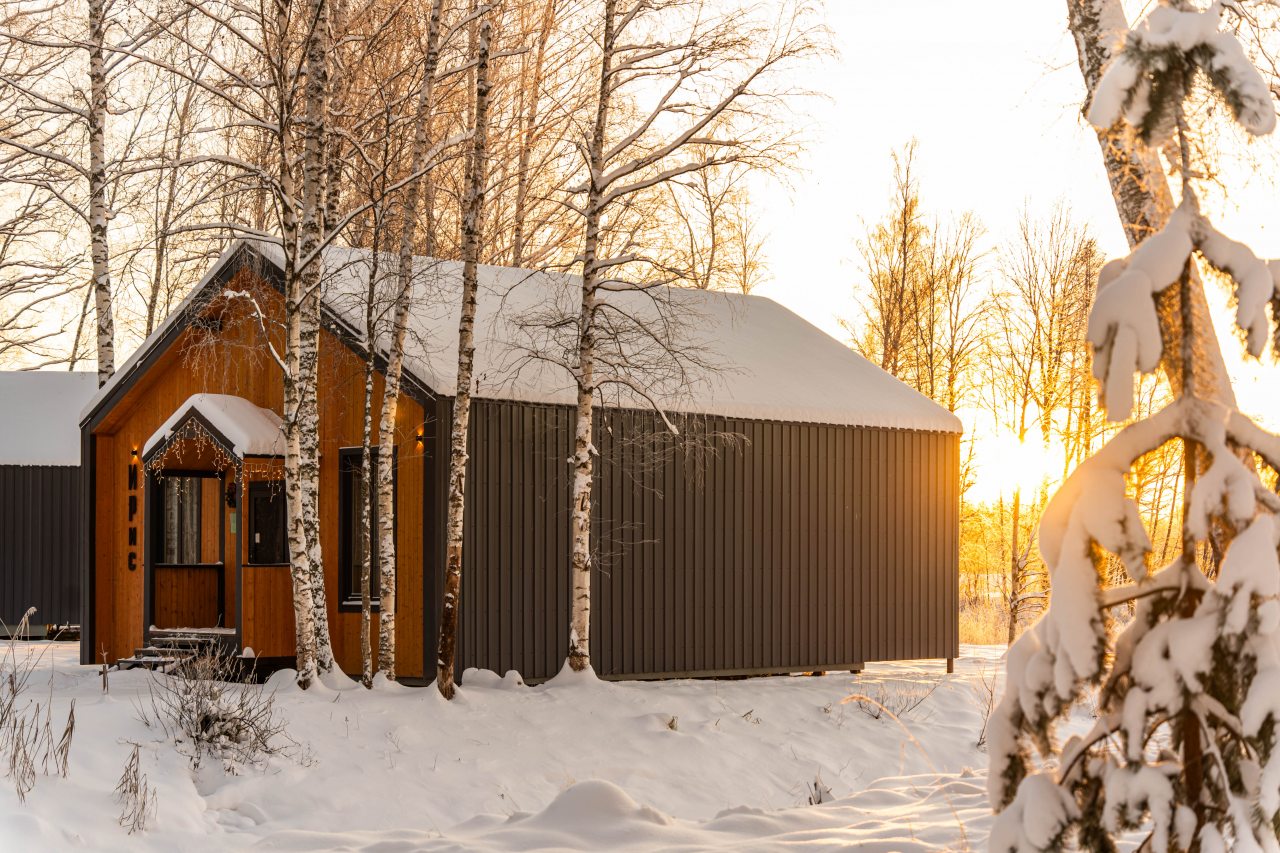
[783, 548]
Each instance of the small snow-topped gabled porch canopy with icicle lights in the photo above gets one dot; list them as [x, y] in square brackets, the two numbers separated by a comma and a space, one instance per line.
[239, 427]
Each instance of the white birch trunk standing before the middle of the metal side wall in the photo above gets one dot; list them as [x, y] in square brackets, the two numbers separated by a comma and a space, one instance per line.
[583, 463]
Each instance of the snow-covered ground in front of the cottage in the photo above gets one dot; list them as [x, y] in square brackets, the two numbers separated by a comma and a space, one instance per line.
[564, 767]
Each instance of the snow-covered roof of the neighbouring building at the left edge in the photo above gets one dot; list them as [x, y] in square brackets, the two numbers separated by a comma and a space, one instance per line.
[38, 416]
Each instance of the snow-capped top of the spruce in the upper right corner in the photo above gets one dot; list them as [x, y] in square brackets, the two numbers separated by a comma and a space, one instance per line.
[1140, 88]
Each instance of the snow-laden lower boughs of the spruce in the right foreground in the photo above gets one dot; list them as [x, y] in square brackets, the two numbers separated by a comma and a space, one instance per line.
[1162, 664]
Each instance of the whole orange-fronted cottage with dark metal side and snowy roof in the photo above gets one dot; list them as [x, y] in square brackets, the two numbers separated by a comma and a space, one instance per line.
[820, 535]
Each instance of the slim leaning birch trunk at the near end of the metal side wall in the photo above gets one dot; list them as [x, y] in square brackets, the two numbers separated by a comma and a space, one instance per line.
[472, 235]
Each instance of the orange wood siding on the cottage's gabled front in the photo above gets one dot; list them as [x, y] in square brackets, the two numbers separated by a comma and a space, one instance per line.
[234, 361]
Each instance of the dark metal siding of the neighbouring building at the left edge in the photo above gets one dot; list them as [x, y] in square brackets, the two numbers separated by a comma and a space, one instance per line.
[39, 544]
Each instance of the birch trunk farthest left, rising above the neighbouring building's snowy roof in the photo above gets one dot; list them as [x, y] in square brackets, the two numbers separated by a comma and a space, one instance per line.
[98, 209]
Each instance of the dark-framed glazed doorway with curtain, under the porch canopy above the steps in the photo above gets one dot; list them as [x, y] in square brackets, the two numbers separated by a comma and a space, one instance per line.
[186, 550]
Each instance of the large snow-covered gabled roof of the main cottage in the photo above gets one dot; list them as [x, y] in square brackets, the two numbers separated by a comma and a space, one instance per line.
[760, 359]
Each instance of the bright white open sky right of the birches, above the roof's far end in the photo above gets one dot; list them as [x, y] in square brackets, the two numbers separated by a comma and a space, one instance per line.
[994, 98]
